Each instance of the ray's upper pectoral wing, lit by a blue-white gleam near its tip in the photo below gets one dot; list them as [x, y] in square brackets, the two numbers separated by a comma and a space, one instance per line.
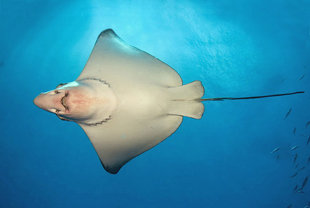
[114, 60]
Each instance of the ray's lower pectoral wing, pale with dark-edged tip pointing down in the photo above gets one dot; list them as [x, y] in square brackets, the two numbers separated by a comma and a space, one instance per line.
[121, 139]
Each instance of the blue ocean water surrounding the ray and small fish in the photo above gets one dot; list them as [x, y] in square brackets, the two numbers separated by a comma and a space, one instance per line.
[236, 48]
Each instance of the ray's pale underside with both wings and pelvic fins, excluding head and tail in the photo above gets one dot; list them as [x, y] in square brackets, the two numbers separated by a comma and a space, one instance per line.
[131, 74]
